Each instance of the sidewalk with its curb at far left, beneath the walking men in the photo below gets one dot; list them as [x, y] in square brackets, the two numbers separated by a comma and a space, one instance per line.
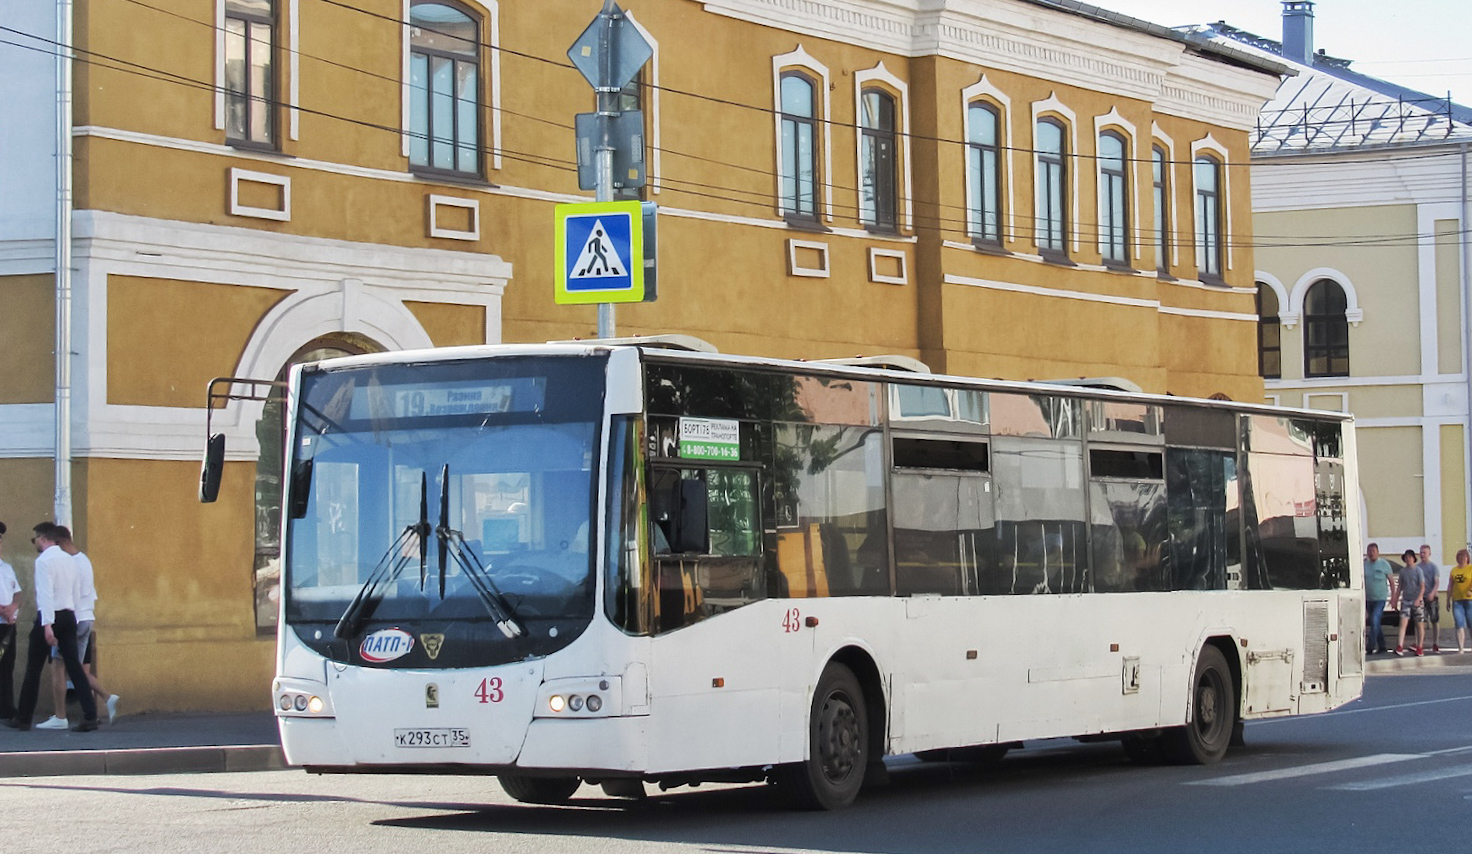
[146, 744]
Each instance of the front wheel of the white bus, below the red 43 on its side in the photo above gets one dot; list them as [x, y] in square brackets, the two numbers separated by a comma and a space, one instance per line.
[838, 746]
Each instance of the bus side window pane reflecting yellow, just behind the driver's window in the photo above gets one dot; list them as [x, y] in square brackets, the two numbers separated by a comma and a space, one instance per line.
[829, 487]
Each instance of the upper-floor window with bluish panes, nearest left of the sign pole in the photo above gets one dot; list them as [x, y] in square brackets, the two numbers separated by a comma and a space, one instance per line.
[444, 89]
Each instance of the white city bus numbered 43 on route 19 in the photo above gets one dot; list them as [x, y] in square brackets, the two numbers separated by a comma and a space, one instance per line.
[623, 563]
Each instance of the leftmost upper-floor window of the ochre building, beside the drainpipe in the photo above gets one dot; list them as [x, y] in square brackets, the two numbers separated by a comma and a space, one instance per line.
[250, 73]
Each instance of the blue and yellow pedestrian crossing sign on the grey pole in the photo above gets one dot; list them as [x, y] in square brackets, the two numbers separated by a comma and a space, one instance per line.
[600, 253]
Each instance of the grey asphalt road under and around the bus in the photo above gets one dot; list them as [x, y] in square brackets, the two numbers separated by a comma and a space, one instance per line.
[1334, 783]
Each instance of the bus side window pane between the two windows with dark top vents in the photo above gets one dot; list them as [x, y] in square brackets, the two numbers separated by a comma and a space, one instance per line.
[1041, 541]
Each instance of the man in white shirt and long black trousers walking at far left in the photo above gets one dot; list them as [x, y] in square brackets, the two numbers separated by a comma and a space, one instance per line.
[58, 593]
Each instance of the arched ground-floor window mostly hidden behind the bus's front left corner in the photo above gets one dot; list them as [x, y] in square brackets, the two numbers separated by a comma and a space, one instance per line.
[272, 438]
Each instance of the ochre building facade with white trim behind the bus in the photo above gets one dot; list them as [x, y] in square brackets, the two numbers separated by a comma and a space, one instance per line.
[1021, 189]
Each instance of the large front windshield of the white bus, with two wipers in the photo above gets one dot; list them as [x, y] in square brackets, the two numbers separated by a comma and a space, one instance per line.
[439, 513]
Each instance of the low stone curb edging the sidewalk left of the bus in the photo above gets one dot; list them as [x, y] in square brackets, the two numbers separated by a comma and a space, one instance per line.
[185, 761]
